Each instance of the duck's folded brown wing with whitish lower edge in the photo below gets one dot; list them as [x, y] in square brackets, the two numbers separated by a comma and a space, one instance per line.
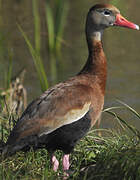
[61, 105]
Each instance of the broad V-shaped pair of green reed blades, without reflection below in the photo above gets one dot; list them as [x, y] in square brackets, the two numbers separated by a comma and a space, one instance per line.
[55, 20]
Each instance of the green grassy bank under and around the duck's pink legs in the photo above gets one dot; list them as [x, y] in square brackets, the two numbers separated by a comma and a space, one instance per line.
[113, 155]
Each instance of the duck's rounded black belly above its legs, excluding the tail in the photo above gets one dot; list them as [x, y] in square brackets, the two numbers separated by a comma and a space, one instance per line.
[66, 137]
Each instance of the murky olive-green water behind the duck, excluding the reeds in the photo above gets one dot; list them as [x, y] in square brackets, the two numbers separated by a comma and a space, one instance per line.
[121, 47]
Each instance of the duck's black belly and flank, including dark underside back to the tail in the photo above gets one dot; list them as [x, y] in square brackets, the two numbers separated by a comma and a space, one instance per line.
[63, 138]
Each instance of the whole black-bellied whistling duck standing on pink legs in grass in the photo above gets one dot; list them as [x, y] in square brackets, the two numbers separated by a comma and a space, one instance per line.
[65, 113]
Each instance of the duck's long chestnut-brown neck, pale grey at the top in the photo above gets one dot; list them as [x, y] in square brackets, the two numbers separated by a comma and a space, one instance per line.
[96, 63]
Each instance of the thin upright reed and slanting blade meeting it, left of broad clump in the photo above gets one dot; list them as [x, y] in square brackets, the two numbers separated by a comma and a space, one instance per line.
[36, 51]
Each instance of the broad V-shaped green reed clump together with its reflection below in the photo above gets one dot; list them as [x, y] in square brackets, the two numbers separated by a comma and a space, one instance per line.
[55, 20]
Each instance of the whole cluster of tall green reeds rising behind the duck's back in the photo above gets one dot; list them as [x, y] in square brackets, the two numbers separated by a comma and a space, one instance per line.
[55, 22]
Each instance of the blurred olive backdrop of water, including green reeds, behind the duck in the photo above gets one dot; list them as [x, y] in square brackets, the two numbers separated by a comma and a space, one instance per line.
[46, 40]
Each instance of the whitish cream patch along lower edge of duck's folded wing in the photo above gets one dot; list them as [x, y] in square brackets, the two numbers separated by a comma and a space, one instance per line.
[71, 116]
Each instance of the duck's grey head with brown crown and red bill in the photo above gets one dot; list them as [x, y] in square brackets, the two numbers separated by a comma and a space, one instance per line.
[102, 16]
